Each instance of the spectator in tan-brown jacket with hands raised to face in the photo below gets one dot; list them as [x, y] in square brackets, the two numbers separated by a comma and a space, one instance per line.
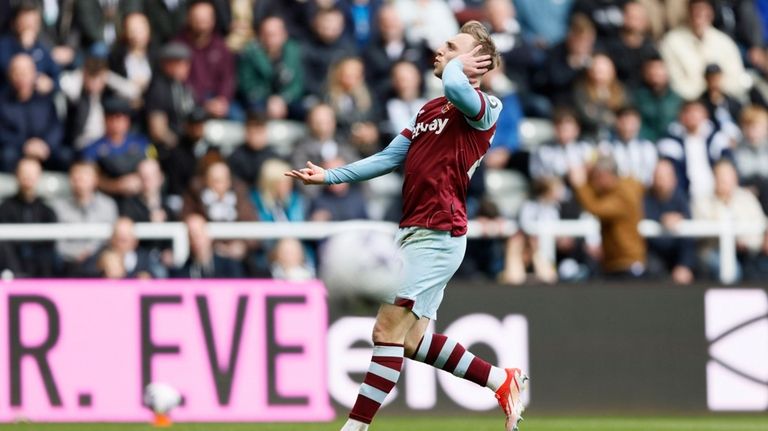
[617, 203]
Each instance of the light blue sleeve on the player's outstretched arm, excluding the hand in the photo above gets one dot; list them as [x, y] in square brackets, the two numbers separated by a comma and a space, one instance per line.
[374, 166]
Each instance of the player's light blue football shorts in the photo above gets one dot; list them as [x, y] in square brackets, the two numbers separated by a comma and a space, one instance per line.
[430, 258]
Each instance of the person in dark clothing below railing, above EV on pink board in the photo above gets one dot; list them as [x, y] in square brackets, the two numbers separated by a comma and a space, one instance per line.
[204, 261]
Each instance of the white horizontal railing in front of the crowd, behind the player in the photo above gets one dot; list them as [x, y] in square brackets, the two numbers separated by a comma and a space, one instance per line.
[547, 232]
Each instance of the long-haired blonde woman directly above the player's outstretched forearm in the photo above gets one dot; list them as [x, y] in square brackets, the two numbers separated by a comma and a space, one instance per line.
[356, 113]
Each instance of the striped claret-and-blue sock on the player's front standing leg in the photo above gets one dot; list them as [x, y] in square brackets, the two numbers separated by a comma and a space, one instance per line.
[383, 373]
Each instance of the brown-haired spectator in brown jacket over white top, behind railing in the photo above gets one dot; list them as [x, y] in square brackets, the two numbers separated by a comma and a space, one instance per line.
[220, 198]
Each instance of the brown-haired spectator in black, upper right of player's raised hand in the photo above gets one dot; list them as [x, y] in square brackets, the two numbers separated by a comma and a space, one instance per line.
[568, 60]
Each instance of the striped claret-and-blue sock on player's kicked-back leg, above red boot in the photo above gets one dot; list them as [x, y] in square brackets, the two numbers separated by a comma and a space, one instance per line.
[448, 355]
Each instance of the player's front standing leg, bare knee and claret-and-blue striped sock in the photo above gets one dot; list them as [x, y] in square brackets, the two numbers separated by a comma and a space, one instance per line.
[392, 324]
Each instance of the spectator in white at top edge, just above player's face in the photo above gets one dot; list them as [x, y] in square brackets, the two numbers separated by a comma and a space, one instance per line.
[429, 21]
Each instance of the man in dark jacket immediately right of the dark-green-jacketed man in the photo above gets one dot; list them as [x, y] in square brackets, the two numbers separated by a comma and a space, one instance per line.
[326, 47]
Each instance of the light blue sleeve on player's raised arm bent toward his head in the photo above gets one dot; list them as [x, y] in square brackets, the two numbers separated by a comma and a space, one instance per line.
[480, 109]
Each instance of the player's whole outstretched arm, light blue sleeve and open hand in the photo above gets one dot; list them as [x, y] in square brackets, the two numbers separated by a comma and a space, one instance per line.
[374, 166]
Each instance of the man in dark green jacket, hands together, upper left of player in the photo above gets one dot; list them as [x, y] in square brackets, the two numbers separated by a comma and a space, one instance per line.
[270, 73]
